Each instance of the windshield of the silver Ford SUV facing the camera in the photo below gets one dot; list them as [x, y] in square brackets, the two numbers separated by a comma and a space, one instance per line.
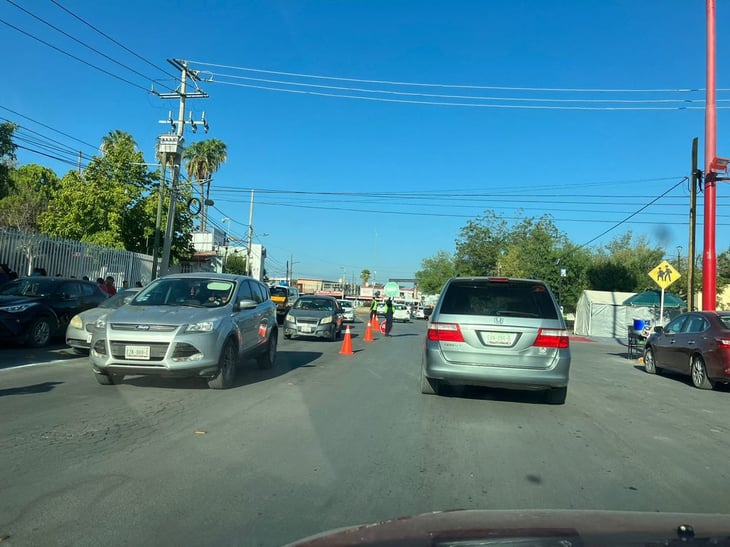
[196, 292]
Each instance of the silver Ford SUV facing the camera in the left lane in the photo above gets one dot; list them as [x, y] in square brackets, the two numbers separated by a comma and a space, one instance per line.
[199, 324]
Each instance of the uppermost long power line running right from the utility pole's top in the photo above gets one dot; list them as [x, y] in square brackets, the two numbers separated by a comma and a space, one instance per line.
[451, 86]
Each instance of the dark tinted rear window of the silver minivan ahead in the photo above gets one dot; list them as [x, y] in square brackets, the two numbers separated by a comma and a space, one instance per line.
[512, 299]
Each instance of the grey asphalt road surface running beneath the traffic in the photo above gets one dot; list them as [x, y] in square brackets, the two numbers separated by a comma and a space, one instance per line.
[326, 440]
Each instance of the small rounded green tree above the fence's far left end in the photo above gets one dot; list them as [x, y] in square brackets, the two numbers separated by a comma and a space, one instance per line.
[32, 188]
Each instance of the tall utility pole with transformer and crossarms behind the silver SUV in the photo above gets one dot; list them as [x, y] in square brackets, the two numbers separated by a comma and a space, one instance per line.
[176, 148]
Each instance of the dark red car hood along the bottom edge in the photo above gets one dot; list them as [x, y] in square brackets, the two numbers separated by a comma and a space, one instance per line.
[539, 528]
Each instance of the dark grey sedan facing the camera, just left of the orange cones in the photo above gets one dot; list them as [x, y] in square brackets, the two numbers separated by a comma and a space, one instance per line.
[319, 316]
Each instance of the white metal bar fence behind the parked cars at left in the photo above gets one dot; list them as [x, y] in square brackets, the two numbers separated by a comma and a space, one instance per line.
[24, 252]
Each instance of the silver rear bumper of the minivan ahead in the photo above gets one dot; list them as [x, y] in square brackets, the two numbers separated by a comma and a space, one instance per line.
[435, 367]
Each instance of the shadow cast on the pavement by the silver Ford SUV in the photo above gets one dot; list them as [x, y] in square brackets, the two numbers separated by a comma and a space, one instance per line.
[247, 373]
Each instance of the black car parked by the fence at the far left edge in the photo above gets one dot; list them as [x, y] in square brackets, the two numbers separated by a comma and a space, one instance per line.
[35, 309]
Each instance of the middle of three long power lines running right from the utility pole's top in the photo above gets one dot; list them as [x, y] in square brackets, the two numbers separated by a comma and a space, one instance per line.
[462, 97]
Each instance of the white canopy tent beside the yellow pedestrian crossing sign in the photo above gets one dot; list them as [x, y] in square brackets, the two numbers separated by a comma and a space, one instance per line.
[604, 313]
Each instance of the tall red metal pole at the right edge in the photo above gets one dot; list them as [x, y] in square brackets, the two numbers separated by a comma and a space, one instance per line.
[709, 260]
